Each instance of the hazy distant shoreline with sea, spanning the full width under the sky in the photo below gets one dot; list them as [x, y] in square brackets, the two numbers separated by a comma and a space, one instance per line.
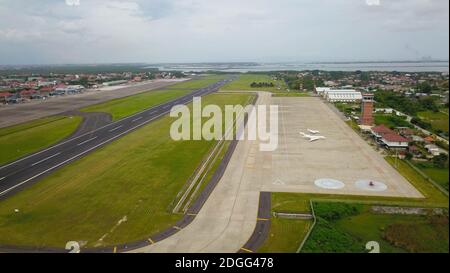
[440, 66]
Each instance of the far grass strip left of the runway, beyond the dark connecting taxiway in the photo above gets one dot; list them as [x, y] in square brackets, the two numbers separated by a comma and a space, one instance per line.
[123, 107]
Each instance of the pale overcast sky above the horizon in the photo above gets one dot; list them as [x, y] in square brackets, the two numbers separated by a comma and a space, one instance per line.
[105, 31]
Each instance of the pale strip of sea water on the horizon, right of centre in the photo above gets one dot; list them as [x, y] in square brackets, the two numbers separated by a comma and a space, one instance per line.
[441, 66]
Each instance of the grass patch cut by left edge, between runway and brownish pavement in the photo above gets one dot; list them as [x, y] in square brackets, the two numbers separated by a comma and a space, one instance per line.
[20, 140]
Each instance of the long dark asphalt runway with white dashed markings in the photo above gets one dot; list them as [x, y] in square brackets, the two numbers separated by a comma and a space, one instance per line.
[28, 170]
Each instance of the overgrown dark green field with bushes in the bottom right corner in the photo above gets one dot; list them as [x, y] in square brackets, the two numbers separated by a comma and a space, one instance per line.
[394, 233]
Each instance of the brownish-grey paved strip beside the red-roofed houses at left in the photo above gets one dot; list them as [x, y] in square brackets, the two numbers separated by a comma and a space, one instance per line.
[19, 113]
